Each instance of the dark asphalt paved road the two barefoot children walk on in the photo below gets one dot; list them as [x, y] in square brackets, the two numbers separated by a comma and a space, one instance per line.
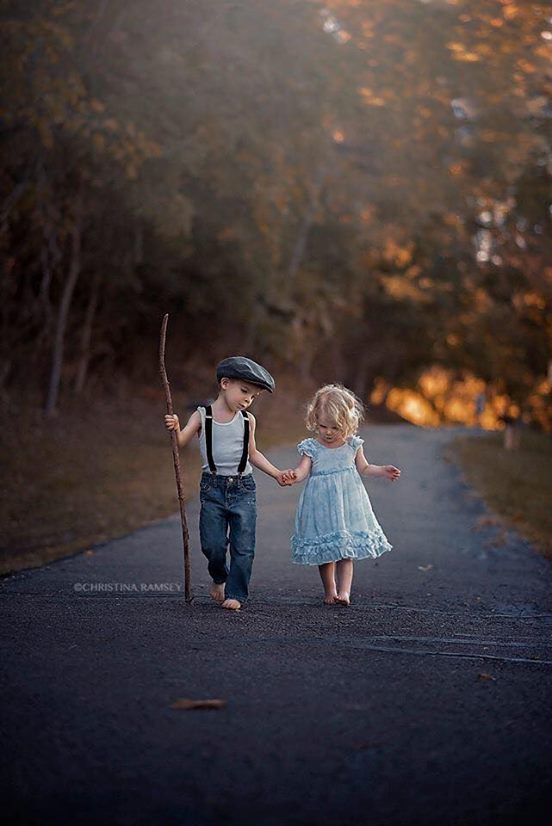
[426, 702]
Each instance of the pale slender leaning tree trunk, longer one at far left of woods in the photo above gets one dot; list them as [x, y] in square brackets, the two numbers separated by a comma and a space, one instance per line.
[50, 407]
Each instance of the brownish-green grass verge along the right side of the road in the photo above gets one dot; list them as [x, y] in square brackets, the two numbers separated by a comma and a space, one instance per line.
[516, 484]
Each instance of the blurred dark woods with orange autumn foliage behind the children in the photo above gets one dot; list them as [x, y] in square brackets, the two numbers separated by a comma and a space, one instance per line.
[348, 191]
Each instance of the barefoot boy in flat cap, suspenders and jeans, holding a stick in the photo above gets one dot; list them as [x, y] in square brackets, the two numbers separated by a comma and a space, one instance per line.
[227, 488]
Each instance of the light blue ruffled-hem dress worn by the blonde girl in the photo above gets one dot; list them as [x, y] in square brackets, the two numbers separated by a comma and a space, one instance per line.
[334, 517]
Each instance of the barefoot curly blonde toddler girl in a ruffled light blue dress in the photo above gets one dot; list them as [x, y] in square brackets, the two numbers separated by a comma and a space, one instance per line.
[335, 523]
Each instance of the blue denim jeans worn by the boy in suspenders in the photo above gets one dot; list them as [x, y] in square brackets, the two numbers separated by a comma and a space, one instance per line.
[228, 516]
